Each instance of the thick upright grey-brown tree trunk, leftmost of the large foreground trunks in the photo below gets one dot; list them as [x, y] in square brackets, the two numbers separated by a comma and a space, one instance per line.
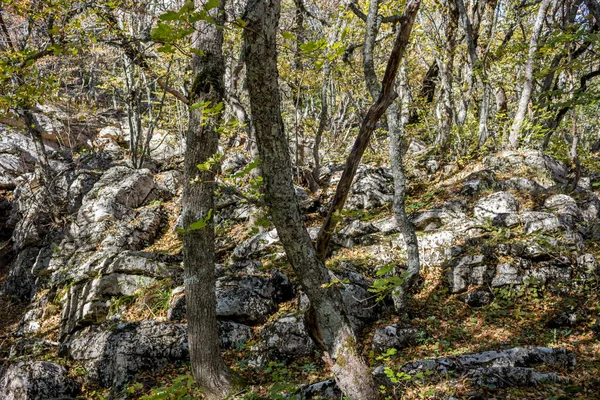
[202, 139]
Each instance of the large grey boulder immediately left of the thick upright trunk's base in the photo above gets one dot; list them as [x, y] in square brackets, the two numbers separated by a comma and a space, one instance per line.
[112, 356]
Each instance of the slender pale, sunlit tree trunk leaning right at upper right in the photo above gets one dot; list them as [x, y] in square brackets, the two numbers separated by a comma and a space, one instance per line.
[515, 130]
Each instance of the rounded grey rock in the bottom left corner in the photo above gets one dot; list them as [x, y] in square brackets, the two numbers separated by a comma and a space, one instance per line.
[37, 380]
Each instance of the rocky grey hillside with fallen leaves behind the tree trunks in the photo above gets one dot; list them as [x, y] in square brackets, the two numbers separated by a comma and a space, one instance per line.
[93, 279]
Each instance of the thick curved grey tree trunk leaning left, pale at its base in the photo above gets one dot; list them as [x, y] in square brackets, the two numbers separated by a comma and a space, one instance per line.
[332, 329]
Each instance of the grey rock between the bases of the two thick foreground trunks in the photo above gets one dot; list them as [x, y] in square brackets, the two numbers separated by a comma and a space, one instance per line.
[286, 339]
